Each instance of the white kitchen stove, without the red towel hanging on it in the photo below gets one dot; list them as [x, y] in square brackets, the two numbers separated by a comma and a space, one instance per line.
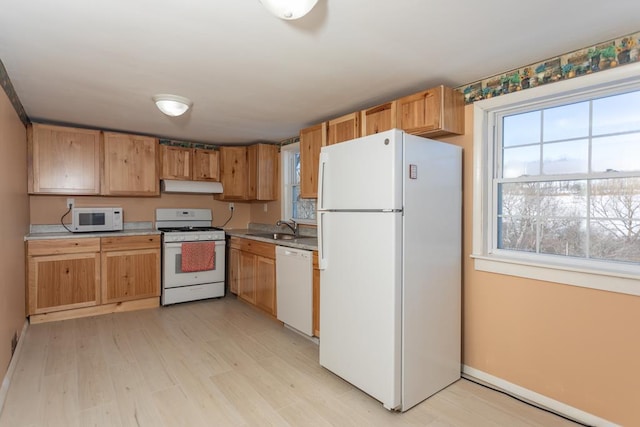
[180, 226]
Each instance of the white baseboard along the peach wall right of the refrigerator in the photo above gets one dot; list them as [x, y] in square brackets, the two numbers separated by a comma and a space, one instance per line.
[534, 398]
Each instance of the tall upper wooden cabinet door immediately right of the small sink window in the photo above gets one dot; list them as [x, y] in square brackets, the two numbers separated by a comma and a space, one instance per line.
[311, 140]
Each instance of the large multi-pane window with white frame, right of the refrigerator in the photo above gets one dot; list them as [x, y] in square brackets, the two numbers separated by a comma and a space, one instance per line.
[558, 180]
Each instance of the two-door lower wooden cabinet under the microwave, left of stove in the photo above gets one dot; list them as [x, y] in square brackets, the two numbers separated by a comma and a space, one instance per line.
[69, 278]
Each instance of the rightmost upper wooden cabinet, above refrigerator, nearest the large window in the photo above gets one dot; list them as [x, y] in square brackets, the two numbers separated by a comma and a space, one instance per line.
[432, 112]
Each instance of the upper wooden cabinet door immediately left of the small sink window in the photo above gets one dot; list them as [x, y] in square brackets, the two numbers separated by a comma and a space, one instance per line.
[263, 172]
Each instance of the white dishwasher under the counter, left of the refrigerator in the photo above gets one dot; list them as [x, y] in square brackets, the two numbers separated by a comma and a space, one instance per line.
[294, 288]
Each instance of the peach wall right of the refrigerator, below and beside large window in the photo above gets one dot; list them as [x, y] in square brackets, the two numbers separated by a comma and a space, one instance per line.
[575, 345]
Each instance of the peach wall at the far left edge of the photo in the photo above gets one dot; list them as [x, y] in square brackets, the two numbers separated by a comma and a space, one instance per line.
[14, 224]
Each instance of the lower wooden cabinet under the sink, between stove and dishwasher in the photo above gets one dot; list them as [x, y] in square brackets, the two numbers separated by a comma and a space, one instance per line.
[252, 272]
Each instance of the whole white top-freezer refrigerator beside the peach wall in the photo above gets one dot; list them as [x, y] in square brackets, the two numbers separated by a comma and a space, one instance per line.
[389, 237]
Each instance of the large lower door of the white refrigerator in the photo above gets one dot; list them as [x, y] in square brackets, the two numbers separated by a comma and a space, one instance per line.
[360, 310]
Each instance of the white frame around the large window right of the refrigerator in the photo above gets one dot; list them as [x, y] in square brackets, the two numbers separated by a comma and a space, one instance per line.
[588, 273]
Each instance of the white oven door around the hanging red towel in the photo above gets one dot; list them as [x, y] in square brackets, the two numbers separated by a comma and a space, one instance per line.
[173, 276]
